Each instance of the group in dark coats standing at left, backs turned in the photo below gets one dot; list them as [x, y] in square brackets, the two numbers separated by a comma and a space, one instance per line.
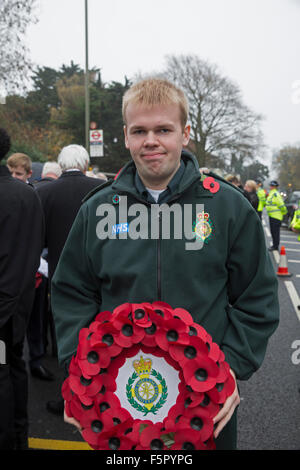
[38, 215]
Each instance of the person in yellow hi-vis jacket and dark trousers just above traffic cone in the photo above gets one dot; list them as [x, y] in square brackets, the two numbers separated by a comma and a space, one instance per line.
[276, 209]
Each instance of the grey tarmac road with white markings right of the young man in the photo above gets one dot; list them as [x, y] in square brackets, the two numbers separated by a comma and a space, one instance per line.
[269, 413]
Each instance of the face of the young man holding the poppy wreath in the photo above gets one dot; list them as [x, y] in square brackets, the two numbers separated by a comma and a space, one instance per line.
[155, 138]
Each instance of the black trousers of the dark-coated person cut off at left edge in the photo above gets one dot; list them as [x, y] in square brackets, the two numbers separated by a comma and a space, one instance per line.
[13, 392]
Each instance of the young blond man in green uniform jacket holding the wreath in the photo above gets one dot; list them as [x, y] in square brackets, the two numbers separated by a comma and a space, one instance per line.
[228, 289]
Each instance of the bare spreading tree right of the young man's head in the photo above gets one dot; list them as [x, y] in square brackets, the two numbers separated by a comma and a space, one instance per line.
[223, 128]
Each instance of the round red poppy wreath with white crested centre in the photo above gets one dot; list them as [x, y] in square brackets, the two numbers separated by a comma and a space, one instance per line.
[144, 330]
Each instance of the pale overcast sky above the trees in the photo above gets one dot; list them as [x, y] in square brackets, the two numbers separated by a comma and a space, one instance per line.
[256, 43]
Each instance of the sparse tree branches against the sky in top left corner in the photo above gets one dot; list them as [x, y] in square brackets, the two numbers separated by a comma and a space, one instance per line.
[15, 16]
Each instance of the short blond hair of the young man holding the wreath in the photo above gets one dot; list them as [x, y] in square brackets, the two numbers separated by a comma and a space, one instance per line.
[156, 91]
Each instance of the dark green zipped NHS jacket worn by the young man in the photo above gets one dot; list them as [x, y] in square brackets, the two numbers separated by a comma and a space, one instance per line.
[228, 284]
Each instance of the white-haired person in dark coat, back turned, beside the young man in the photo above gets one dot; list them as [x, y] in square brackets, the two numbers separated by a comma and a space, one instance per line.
[61, 200]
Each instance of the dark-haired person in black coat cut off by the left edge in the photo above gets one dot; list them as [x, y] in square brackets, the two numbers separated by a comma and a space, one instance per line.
[21, 236]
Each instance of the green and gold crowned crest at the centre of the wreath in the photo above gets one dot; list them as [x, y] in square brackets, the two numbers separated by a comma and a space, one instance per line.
[146, 388]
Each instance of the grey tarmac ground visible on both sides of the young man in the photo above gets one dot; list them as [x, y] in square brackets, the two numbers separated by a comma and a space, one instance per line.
[269, 413]
